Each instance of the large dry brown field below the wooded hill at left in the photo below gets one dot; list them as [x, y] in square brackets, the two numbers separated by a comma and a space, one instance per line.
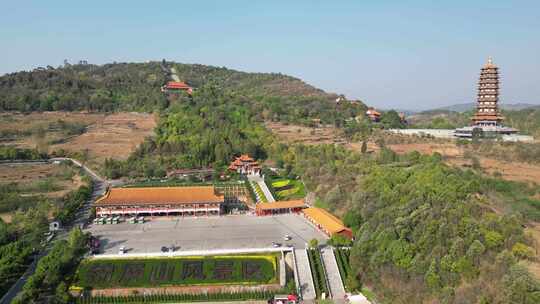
[104, 136]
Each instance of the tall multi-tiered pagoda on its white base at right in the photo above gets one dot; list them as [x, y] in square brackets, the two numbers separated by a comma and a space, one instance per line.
[487, 121]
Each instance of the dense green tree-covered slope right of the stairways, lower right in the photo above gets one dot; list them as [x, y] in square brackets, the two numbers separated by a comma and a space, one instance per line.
[425, 232]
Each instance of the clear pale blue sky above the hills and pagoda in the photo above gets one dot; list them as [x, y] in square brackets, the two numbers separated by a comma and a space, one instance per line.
[391, 54]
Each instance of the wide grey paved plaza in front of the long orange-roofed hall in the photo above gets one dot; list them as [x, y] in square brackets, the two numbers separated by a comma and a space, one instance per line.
[206, 233]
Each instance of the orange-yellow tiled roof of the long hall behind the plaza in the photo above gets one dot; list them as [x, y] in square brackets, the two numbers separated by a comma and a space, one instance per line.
[159, 195]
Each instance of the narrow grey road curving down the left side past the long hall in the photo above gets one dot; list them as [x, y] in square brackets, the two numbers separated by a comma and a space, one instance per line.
[82, 217]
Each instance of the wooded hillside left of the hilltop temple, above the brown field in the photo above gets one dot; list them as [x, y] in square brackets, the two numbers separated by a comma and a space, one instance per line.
[123, 86]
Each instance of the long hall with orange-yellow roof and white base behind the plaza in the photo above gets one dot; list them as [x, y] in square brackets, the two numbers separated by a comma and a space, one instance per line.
[154, 201]
